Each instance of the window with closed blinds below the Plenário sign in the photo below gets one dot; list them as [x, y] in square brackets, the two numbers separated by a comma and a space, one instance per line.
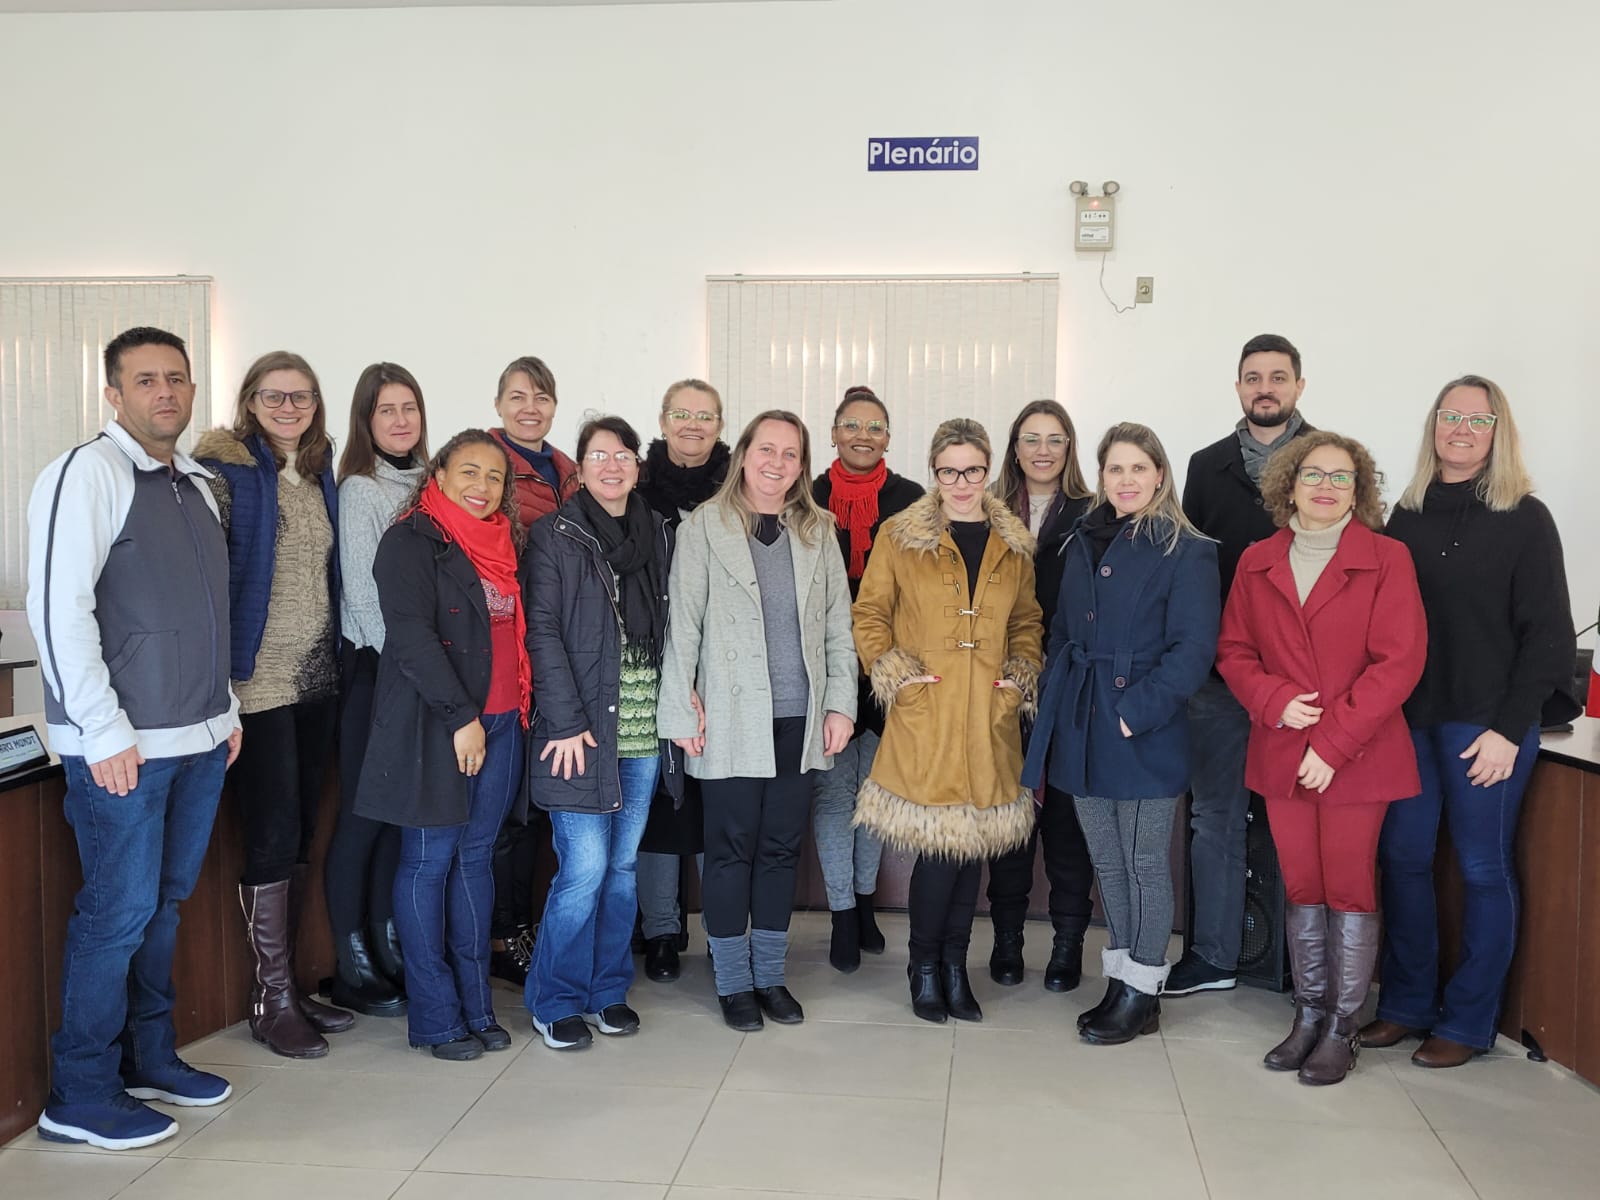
[930, 346]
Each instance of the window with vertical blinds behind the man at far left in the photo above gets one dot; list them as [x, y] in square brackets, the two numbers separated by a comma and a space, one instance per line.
[52, 338]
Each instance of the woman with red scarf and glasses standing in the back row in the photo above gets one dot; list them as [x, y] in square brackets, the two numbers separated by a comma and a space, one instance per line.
[862, 492]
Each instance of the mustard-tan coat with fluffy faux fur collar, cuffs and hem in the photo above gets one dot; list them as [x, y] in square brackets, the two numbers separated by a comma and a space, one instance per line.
[948, 774]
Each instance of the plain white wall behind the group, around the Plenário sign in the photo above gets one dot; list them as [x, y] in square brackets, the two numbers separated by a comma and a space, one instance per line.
[450, 188]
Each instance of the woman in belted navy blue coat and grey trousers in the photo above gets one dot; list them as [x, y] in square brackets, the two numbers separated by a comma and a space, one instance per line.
[1134, 638]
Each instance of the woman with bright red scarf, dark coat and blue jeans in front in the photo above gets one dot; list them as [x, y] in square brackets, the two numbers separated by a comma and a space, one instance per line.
[446, 753]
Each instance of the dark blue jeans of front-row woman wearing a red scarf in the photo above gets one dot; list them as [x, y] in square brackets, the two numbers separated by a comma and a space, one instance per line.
[444, 897]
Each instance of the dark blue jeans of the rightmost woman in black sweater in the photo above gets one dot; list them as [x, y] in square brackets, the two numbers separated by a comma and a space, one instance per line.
[1482, 826]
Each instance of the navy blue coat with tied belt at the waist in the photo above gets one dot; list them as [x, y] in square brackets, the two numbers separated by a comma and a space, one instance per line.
[1134, 641]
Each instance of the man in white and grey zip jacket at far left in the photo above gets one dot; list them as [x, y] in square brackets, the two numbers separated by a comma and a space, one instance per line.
[127, 598]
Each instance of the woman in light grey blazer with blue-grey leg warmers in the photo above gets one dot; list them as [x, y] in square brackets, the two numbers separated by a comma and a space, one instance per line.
[759, 689]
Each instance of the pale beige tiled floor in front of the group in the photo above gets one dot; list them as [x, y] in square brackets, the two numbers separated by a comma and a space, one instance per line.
[860, 1102]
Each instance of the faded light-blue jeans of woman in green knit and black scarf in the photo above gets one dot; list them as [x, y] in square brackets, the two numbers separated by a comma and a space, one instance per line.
[583, 961]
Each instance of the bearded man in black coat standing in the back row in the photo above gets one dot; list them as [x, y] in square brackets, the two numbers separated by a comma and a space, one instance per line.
[1223, 498]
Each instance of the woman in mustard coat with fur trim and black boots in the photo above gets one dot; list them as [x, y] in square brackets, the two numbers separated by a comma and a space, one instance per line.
[950, 633]
